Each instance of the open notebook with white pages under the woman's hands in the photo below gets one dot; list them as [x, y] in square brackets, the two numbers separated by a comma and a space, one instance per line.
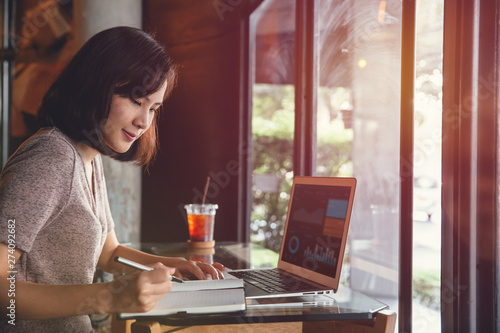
[197, 297]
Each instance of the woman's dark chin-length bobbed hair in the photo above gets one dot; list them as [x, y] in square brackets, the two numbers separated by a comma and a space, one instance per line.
[121, 61]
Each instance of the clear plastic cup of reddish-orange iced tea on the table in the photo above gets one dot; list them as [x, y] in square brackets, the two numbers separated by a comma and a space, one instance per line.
[201, 224]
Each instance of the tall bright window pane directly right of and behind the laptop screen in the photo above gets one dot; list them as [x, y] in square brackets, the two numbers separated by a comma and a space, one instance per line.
[358, 132]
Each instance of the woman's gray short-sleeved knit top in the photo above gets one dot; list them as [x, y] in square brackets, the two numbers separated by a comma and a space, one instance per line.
[58, 224]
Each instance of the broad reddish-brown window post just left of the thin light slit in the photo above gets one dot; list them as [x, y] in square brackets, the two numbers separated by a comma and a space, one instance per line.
[459, 113]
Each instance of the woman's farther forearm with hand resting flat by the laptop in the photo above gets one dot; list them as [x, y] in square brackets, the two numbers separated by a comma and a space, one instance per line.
[112, 248]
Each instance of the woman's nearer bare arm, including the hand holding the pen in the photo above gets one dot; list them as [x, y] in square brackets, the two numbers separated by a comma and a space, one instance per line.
[138, 292]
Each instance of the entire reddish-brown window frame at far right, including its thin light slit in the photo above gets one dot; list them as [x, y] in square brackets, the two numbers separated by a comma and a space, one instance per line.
[470, 167]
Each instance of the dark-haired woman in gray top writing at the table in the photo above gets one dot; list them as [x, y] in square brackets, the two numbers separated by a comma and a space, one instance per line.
[54, 211]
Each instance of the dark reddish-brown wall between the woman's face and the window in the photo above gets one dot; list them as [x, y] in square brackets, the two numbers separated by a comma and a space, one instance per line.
[198, 126]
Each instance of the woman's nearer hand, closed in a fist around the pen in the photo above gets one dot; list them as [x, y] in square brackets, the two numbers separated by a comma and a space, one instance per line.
[141, 291]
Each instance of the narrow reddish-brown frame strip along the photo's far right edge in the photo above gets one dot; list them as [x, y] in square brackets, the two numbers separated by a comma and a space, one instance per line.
[486, 219]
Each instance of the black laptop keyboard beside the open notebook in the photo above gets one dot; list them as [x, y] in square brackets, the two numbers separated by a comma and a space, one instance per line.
[272, 280]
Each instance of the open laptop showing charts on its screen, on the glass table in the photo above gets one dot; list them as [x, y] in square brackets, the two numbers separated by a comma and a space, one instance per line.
[313, 244]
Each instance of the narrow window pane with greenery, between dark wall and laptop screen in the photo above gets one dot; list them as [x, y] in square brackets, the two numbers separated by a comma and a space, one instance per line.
[272, 28]
